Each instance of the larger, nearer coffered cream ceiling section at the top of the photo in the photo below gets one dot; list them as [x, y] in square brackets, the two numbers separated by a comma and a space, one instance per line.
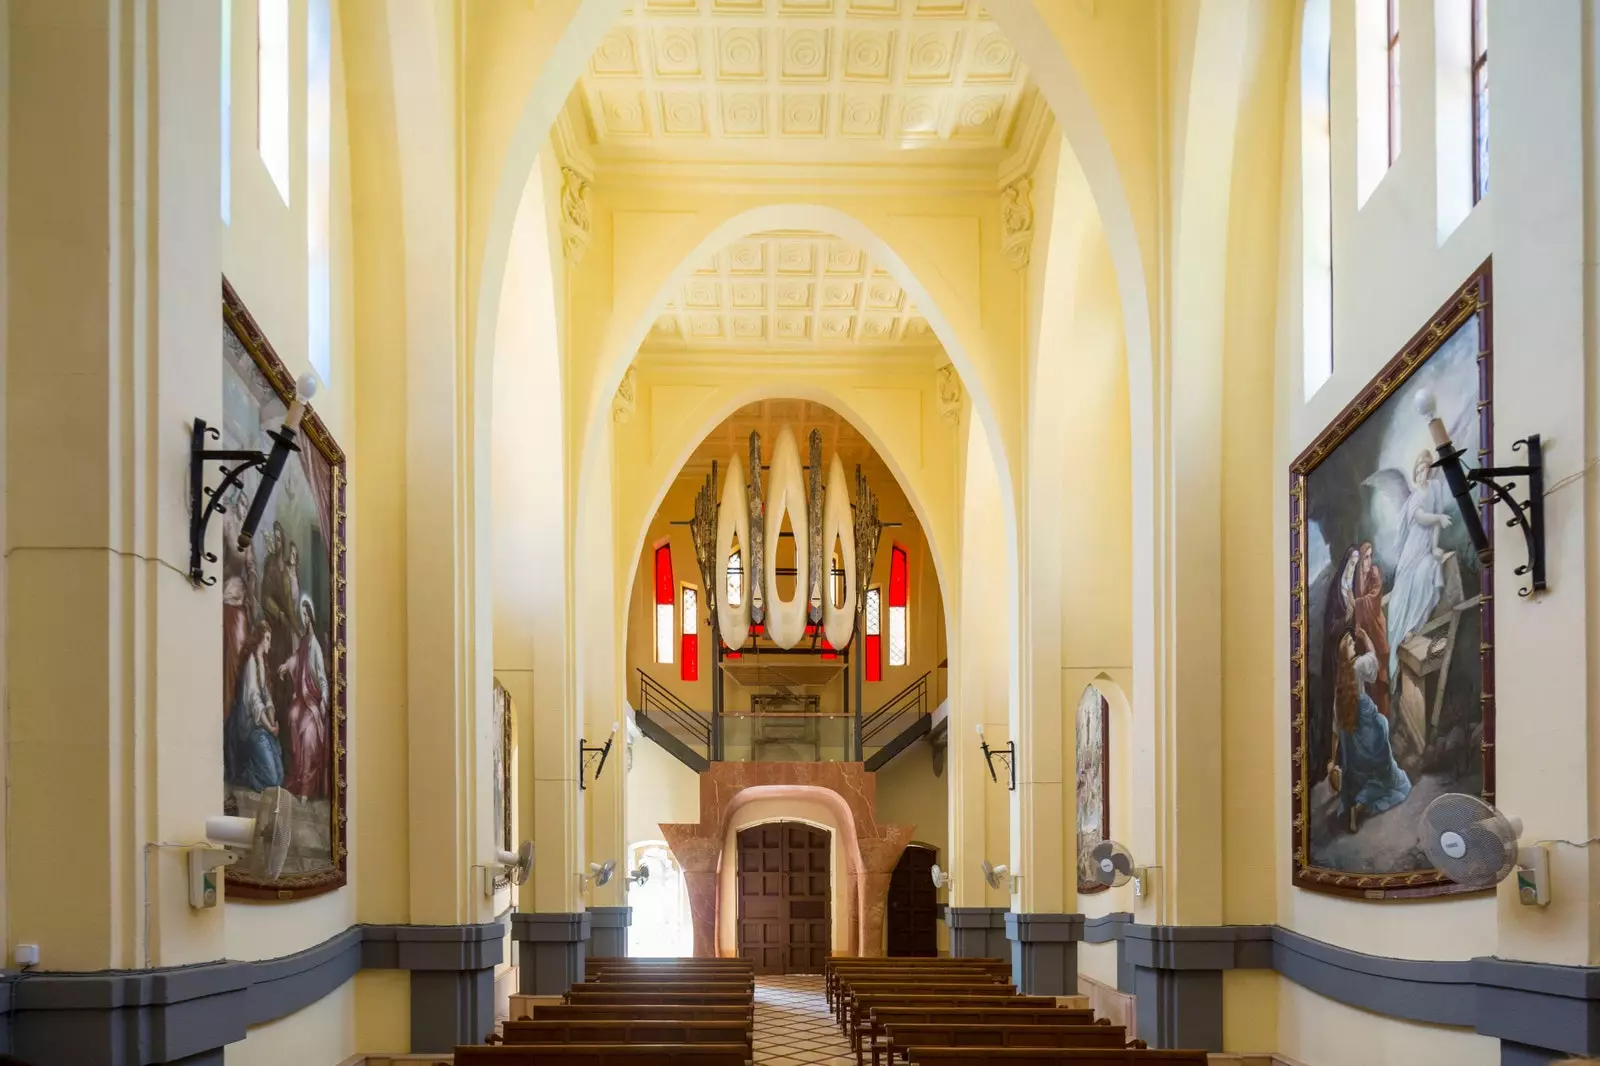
[804, 81]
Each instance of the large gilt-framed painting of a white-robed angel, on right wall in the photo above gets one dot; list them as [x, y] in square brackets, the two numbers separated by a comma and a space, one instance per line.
[1391, 631]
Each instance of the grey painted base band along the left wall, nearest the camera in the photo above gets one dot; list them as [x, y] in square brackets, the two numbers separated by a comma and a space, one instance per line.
[186, 1016]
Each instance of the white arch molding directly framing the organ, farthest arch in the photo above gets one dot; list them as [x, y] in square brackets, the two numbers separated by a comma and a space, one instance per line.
[798, 391]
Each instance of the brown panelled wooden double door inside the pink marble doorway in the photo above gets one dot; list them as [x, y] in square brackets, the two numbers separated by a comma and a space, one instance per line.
[785, 916]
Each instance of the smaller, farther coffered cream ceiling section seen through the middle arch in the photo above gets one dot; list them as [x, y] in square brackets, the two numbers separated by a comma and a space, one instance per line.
[793, 289]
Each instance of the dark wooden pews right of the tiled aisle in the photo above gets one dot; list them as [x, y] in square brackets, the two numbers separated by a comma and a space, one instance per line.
[966, 1012]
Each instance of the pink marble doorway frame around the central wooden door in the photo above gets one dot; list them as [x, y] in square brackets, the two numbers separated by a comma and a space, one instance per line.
[850, 791]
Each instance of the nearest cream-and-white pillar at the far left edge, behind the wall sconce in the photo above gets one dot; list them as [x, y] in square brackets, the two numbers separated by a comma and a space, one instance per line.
[113, 334]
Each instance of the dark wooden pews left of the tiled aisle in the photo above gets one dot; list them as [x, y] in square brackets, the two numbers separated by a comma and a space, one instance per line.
[636, 1012]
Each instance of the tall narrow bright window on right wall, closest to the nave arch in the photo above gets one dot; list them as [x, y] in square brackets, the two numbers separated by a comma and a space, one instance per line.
[1316, 199]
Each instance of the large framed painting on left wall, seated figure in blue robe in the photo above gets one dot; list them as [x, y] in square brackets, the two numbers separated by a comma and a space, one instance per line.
[284, 628]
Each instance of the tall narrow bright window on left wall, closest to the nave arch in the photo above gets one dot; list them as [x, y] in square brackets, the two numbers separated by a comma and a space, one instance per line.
[319, 126]
